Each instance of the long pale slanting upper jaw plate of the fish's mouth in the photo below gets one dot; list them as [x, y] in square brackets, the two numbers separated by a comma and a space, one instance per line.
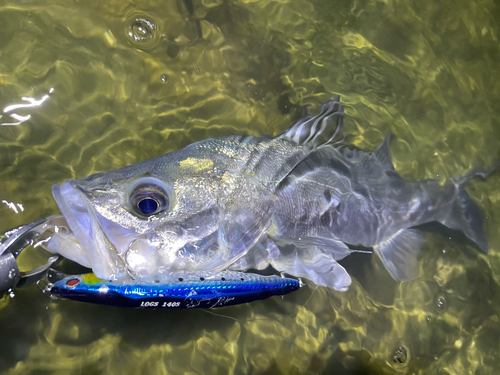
[82, 220]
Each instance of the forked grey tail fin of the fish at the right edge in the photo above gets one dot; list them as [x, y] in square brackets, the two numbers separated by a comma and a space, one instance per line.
[466, 215]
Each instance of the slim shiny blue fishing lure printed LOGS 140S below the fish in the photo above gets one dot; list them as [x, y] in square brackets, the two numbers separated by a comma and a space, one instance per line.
[178, 290]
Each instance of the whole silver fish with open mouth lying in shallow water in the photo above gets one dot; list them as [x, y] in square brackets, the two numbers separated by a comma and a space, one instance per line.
[299, 203]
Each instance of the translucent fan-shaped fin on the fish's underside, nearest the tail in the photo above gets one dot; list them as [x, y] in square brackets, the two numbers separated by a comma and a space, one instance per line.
[399, 253]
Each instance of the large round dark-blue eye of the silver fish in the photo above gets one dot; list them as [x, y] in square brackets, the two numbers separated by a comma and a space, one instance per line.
[148, 199]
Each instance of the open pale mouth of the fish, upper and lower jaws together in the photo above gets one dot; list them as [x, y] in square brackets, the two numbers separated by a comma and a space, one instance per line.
[92, 248]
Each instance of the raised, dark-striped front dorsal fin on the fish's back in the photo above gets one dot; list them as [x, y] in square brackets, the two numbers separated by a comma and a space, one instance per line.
[324, 128]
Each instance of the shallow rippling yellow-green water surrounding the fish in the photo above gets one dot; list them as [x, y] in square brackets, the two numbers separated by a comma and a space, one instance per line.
[124, 82]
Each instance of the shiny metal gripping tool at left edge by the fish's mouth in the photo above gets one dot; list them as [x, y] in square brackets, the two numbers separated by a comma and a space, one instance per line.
[18, 240]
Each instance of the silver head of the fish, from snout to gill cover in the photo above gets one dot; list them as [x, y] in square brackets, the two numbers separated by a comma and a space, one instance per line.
[181, 211]
